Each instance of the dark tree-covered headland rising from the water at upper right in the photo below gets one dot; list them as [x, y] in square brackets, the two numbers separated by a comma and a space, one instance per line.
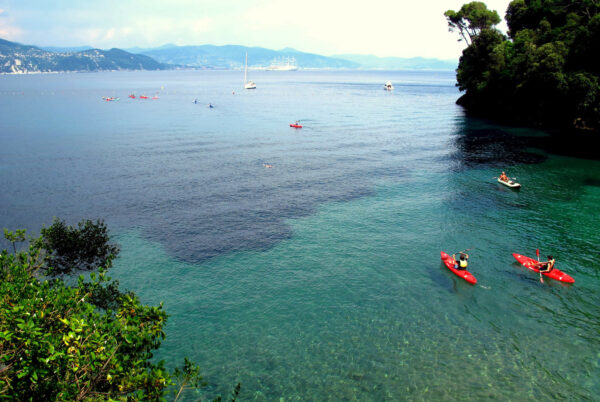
[544, 72]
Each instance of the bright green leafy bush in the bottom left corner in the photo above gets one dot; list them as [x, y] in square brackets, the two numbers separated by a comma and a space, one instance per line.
[57, 344]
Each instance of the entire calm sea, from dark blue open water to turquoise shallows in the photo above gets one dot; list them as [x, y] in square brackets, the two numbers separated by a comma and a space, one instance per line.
[305, 263]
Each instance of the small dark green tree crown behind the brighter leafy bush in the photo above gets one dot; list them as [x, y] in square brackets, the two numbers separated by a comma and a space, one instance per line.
[84, 247]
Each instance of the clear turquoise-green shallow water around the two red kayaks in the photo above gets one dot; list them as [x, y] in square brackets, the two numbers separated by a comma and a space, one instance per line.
[356, 304]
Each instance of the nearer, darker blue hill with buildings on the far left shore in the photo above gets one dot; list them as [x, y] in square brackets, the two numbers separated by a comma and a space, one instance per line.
[16, 58]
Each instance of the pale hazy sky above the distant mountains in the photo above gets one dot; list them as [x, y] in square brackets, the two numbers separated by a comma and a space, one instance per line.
[380, 27]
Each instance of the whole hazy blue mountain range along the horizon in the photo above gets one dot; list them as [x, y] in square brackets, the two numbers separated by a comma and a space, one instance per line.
[17, 58]
